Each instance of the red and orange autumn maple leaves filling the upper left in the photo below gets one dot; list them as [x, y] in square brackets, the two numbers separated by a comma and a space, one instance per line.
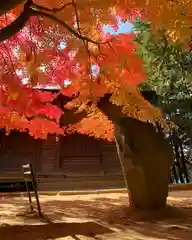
[50, 53]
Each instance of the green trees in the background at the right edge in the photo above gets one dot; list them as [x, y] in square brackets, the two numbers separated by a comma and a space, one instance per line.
[169, 73]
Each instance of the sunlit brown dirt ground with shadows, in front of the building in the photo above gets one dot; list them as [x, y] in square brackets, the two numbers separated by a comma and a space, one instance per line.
[95, 216]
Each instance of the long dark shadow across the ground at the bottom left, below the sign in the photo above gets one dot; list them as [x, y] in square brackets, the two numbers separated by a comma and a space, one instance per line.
[52, 231]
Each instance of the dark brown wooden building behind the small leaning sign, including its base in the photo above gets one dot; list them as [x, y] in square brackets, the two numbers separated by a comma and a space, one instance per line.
[69, 162]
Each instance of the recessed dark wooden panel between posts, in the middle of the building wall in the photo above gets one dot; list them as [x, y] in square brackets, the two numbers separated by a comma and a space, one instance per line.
[79, 155]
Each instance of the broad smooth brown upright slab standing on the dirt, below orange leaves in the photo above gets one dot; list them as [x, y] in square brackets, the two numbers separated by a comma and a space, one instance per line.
[146, 163]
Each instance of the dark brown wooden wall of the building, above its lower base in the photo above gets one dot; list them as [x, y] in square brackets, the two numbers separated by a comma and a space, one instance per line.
[73, 155]
